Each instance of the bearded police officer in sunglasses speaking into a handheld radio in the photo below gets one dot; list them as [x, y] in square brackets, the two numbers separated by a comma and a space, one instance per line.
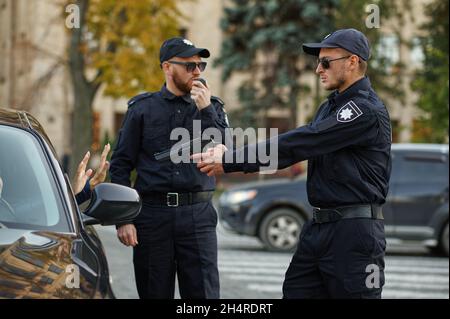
[175, 232]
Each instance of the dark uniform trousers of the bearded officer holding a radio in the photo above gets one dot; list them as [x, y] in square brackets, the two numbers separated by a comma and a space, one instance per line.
[180, 240]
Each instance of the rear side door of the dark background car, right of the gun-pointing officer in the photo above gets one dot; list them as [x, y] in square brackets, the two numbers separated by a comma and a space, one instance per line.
[420, 179]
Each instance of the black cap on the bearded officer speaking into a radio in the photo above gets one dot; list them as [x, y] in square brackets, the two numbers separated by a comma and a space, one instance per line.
[180, 47]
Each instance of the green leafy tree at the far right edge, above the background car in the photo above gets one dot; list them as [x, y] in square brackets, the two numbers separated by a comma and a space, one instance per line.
[432, 81]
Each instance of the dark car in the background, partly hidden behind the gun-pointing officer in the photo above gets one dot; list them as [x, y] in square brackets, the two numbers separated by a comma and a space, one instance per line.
[416, 208]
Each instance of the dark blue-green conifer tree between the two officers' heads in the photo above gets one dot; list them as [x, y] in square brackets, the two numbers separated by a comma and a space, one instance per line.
[263, 39]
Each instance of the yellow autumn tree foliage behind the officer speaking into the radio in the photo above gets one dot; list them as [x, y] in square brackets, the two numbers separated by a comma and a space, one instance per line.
[123, 40]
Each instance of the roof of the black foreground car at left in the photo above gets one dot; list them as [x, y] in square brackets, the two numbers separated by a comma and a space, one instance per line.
[23, 119]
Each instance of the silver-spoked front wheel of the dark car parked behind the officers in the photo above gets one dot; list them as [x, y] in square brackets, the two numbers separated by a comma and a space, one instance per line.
[280, 229]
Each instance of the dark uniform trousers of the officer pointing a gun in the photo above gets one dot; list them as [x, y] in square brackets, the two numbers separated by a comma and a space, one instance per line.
[340, 259]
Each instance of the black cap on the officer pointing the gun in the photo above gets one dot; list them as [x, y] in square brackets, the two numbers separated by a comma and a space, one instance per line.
[351, 40]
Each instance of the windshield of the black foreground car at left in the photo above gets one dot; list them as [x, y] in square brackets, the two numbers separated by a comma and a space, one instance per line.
[28, 194]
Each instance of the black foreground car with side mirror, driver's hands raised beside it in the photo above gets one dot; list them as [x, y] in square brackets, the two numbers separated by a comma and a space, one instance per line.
[48, 247]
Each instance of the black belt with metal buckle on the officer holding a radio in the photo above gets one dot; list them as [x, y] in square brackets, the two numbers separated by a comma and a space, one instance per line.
[172, 199]
